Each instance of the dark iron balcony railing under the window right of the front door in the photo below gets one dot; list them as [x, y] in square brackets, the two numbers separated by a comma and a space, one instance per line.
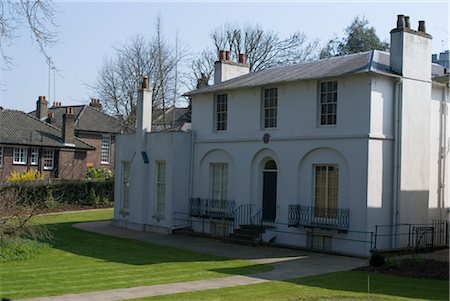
[315, 217]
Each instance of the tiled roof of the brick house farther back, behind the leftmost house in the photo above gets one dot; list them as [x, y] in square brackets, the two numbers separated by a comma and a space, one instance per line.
[87, 118]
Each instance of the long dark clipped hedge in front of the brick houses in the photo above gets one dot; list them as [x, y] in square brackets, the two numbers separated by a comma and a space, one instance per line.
[71, 192]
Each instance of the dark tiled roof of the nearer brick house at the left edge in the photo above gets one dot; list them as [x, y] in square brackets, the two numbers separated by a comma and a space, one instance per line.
[20, 128]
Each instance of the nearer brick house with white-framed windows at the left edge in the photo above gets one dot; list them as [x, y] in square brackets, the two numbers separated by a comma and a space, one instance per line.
[27, 143]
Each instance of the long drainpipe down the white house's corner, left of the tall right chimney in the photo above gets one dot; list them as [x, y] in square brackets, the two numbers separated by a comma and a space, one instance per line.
[397, 159]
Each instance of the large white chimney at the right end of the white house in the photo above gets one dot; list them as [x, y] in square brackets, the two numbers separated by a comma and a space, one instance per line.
[410, 50]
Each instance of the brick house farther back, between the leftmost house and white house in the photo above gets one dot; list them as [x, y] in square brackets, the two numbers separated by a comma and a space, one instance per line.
[90, 125]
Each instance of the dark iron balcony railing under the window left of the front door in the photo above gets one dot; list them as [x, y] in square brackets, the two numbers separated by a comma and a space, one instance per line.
[207, 208]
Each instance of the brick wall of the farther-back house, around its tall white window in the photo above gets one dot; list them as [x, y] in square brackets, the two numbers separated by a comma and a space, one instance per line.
[94, 157]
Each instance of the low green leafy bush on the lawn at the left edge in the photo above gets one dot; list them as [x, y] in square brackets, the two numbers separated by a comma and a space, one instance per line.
[17, 248]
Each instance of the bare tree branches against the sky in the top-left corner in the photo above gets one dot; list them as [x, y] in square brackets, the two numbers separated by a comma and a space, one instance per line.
[37, 15]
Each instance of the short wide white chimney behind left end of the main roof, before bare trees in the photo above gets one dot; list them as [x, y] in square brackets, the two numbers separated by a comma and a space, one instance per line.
[225, 69]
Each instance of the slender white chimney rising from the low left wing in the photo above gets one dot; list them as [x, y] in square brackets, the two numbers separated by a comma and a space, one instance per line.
[144, 109]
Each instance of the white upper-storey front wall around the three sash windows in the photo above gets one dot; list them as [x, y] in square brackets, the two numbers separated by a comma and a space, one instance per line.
[297, 111]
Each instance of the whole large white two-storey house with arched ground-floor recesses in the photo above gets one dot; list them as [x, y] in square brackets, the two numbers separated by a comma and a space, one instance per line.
[345, 154]
